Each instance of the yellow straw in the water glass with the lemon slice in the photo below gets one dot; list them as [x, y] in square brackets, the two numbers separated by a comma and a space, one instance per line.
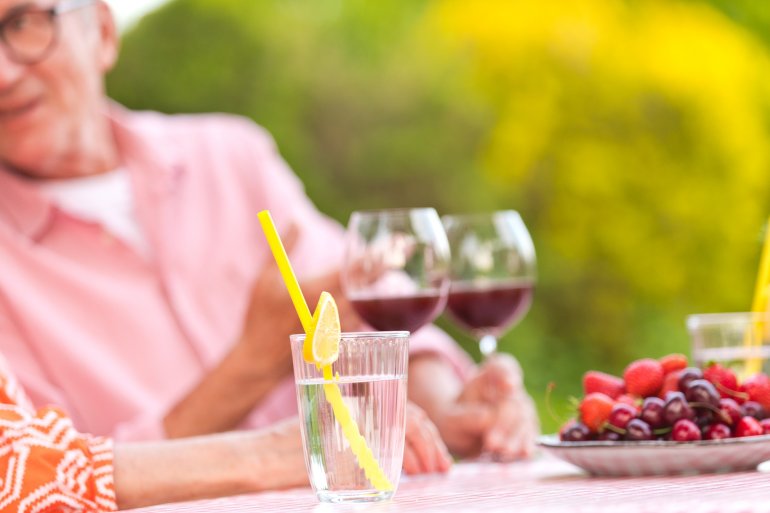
[364, 455]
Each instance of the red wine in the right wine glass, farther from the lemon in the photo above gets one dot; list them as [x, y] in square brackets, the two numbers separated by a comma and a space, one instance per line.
[491, 308]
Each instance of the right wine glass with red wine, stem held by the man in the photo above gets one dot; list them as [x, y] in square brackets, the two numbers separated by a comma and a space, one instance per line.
[492, 273]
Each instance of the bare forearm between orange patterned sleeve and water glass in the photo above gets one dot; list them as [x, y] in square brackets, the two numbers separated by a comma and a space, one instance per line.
[209, 466]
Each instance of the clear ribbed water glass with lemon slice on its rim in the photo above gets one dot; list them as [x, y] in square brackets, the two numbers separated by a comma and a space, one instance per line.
[370, 376]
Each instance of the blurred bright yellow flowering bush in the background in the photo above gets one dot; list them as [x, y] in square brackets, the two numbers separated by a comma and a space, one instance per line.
[633, 138]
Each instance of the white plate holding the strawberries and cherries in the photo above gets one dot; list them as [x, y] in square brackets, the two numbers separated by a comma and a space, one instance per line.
[661, 457]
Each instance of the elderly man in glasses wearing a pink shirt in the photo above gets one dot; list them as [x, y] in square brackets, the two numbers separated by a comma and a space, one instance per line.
[137, 292]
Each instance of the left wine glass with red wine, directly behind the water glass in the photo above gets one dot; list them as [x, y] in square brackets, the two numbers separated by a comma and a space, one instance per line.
[396, 270]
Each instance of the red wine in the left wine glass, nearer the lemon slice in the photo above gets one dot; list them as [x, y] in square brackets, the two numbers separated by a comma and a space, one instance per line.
[407, 313]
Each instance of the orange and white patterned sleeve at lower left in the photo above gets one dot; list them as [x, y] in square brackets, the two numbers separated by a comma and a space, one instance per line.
[46, 466]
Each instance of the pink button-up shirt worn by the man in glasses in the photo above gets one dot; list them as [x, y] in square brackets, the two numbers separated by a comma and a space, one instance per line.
[116, 339]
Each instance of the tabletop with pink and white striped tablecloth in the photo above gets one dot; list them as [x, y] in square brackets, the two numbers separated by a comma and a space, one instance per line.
[544, 485]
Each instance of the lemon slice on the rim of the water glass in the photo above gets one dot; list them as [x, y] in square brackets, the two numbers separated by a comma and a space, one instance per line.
[322, 344]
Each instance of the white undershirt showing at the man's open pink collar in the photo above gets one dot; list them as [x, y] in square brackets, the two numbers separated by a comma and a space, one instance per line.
[106, 198]
